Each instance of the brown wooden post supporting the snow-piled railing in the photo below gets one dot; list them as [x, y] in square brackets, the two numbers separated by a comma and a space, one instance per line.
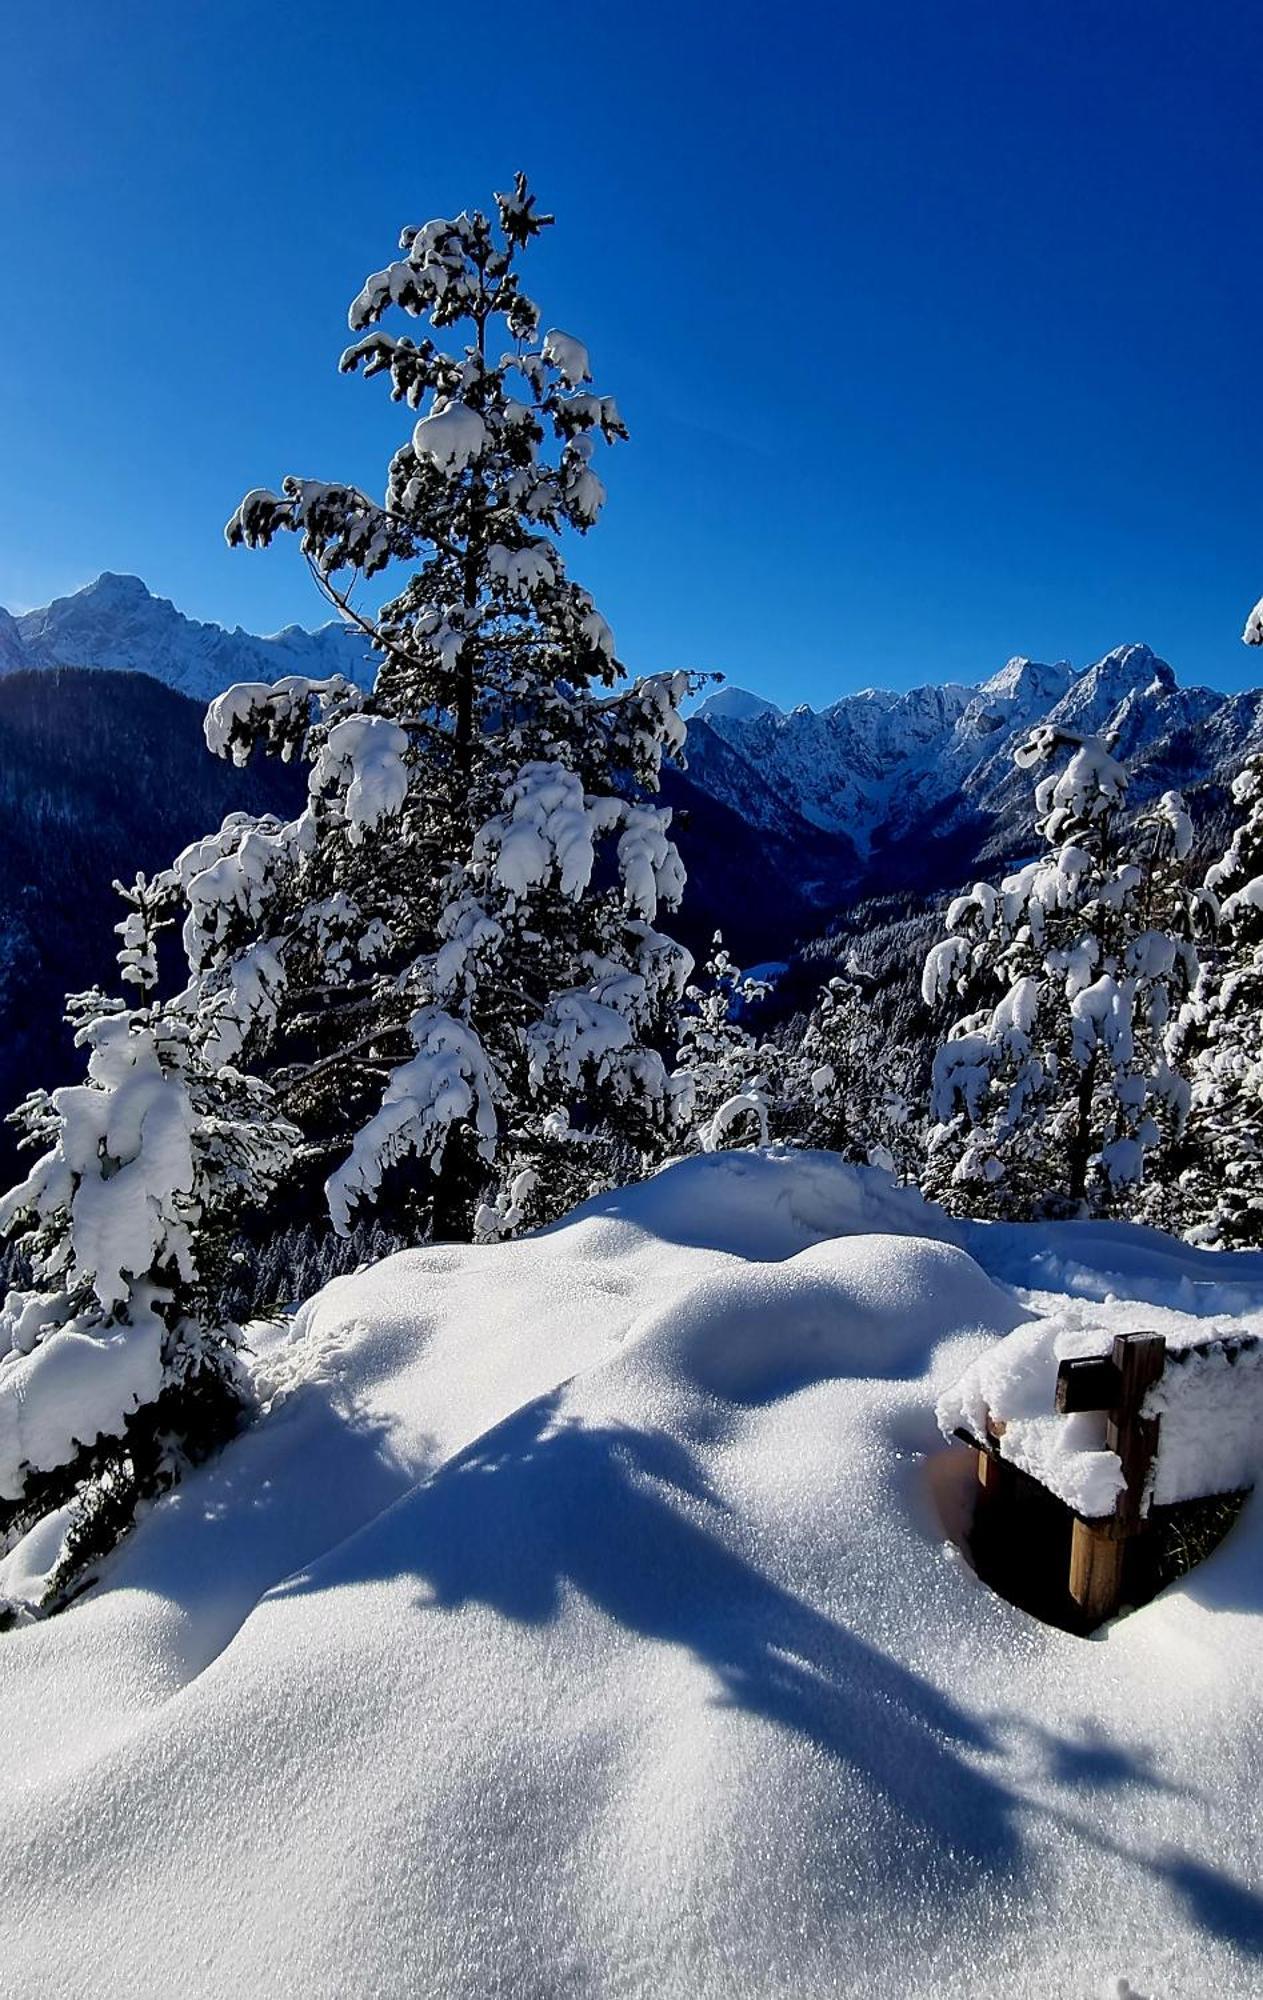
[1118, 1385]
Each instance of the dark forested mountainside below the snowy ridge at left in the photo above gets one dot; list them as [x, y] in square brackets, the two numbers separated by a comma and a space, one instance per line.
[101, 775]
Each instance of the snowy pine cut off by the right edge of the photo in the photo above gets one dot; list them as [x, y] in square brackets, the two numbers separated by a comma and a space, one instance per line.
[1224, 1025]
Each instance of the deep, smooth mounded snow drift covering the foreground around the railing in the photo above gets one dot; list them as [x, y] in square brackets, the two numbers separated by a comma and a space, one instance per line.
[579, 1621]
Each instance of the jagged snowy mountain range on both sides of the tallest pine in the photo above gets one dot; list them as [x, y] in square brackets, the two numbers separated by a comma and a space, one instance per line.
[786, 817]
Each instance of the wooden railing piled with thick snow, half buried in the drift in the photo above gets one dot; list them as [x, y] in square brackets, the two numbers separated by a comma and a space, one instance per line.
[1136, 1429]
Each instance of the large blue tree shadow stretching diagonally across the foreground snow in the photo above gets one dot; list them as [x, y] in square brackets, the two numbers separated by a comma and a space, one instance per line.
[545, 1507]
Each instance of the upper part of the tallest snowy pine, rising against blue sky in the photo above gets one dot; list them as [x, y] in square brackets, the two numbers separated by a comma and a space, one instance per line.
[475, 471]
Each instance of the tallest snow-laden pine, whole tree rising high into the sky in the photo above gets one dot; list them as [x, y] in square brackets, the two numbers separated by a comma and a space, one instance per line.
[455, 945]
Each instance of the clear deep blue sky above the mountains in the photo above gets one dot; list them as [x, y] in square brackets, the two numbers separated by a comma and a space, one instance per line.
[938, 327]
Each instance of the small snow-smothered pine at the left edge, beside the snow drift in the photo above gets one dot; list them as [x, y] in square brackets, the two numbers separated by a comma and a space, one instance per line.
[115, 1363]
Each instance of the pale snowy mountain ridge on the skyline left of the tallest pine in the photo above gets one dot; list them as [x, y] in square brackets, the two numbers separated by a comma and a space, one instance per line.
[117, 623]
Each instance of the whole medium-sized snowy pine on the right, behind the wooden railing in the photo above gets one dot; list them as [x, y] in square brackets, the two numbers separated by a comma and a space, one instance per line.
[1052, 1095]
